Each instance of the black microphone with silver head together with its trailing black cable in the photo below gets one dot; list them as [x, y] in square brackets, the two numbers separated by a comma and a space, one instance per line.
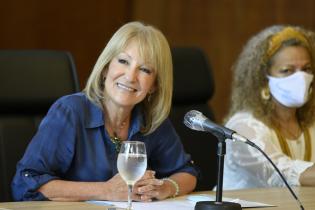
[195, 120]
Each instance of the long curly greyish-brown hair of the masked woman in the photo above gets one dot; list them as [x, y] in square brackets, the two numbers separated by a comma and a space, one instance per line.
[250, 70]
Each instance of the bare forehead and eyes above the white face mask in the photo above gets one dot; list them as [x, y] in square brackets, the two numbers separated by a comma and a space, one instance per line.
[290, 60]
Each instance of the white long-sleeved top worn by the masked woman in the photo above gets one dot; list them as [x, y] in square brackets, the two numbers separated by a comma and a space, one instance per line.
[246, 167]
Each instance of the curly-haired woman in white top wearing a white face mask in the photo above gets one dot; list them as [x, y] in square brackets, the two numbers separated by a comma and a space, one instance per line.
[272, 104]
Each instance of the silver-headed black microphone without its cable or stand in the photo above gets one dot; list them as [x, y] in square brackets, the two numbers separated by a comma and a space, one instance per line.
[195, 120]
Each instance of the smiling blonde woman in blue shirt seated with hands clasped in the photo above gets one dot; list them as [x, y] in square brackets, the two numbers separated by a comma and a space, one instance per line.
[127, 97]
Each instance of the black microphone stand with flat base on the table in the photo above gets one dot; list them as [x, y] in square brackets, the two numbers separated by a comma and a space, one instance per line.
[218, 204]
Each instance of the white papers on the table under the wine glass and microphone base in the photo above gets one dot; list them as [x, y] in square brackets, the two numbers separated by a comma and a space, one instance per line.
[181, 203]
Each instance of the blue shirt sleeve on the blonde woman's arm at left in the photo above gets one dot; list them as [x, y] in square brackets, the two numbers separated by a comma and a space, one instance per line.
[48, 155]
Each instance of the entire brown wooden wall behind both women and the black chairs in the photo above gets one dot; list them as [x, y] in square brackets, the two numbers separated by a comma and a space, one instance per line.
[220, 27]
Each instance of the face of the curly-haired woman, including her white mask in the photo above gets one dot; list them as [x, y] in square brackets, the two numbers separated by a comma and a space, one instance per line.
[291, 77]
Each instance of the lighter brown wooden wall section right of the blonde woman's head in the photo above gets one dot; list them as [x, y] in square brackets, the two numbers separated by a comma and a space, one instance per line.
[221, 28]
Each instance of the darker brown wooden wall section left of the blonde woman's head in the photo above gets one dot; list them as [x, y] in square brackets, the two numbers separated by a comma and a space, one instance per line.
[81, 27]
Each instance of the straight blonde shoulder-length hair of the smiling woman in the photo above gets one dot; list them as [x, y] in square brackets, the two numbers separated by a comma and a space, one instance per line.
[153, 48]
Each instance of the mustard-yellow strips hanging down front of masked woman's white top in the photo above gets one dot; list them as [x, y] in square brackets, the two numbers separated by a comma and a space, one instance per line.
[285, 147]
